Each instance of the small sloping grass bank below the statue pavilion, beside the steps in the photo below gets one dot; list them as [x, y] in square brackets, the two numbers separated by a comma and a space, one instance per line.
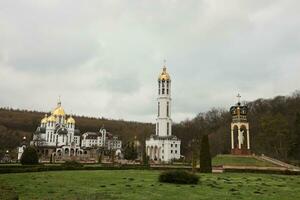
[240, 161]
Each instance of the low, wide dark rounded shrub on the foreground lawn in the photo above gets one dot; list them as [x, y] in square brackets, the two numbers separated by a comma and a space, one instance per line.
[178, 176]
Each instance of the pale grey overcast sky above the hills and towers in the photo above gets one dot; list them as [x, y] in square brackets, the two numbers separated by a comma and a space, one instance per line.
[104, 57]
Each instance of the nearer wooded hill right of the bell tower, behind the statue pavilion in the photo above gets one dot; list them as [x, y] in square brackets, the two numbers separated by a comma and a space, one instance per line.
[274, 128]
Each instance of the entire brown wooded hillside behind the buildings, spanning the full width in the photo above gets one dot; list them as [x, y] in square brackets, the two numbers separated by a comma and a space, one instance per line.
[274, 128]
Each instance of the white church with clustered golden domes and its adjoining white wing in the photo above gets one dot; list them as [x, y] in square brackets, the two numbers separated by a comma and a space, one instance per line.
[58, 137]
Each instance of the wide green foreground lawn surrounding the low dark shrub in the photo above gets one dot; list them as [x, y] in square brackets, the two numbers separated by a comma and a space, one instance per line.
[143, 184]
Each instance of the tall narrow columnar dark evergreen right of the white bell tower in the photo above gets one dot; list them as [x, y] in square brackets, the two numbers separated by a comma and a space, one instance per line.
[205, 157]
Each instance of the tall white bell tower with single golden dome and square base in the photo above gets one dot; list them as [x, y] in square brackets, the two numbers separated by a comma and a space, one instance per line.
[163, 146]
